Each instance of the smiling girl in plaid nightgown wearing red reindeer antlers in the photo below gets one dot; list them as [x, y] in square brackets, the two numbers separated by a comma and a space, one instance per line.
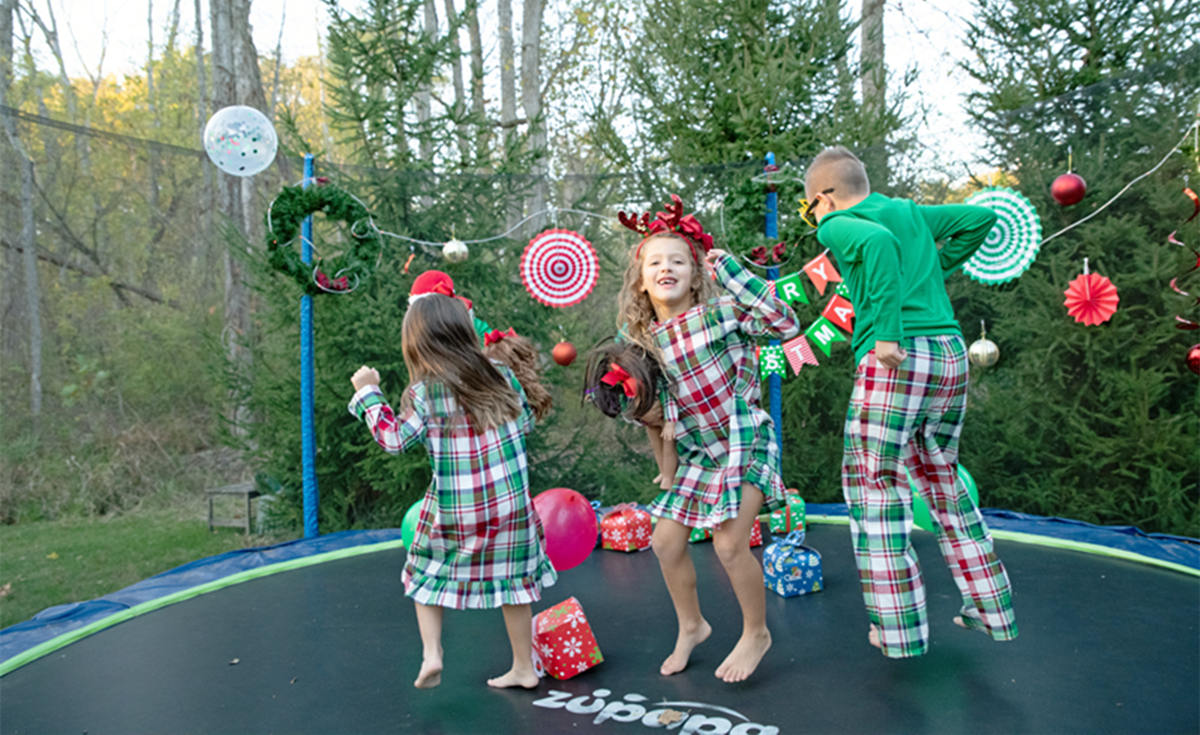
[728, 463]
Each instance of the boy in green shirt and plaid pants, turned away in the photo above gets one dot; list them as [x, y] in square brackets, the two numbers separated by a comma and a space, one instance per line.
[909, 402]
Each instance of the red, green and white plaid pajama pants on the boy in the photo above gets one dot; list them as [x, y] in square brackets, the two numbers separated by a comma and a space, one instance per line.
[911, 417]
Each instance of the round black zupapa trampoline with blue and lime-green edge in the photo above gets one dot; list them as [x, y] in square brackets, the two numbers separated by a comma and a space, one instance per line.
[317, 637]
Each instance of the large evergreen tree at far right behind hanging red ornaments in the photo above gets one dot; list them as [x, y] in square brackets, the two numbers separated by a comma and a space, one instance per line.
[1095, 423]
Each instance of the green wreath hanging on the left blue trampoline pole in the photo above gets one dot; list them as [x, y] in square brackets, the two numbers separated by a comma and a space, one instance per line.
[284, 219]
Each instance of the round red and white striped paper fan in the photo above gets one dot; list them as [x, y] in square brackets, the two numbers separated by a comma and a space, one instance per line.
[560, 268]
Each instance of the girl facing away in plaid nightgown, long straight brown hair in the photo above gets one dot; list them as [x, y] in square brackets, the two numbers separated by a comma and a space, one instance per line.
[479, 542]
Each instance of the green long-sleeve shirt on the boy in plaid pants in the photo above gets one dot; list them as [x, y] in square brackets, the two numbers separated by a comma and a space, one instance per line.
[889, 256]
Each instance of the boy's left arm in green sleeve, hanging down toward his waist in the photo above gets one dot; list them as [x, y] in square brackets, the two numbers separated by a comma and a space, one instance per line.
[878, 253]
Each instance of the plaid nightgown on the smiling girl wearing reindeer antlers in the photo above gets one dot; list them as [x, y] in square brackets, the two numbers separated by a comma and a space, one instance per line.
[723, 438]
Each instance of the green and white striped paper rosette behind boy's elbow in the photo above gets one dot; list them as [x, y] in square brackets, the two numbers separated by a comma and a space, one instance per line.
[1013, 242]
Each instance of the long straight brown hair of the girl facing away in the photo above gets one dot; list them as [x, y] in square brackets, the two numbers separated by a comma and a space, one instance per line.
[440, 345]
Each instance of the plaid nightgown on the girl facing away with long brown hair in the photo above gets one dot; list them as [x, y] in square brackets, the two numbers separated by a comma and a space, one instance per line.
[479, 542]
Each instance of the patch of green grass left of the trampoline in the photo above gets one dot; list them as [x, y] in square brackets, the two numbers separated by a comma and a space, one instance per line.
[55, 563]
